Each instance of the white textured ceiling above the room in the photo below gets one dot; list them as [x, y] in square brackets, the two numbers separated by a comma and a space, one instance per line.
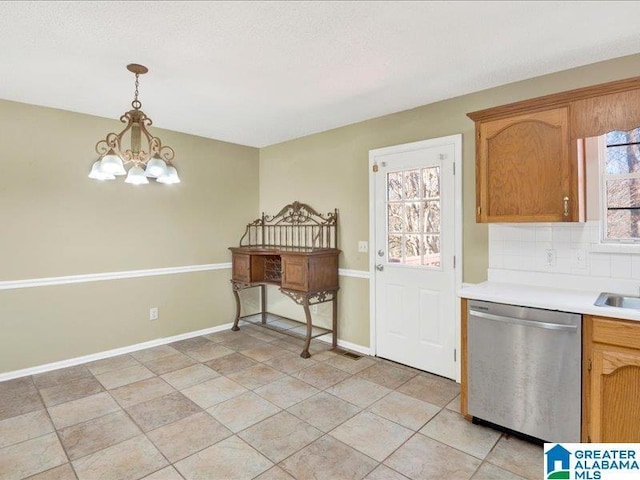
[258, 73]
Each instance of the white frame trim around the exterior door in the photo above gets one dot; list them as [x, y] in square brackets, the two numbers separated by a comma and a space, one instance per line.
[374, 155]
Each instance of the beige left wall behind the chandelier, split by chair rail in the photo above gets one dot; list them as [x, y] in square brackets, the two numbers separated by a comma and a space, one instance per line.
[56, 222]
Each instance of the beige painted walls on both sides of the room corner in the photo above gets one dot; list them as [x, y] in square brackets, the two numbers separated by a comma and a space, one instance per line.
[56, 222]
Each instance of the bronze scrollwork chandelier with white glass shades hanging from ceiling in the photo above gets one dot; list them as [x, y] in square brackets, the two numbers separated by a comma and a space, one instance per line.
[152, 160]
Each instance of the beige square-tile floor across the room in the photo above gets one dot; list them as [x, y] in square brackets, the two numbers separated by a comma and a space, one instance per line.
[244, 405]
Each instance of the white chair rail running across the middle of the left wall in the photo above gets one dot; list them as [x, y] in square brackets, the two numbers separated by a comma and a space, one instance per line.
[99, 277]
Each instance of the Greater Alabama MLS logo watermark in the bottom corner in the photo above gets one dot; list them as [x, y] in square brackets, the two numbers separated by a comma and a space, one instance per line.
[592, 461]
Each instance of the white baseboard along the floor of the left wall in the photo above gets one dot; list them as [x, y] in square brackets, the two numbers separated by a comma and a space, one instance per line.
[109, 353]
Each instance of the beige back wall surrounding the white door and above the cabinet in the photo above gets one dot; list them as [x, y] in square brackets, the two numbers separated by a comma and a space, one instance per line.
[330, 169]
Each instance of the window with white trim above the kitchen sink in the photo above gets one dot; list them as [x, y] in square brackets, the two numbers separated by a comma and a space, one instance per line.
[620, 187]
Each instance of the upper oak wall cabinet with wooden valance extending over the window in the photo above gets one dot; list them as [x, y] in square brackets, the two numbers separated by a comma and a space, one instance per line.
[529, 167]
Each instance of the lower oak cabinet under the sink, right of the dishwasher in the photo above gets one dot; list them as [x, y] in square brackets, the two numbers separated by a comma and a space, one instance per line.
[611, 381]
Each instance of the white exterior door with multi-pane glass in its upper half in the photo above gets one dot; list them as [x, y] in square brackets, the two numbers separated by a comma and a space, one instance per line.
[414, 249]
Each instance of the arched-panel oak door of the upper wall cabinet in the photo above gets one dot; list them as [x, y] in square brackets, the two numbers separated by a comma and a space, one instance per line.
[524, 169]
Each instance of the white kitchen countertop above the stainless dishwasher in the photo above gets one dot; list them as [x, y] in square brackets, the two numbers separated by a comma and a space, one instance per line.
[564, 300]
